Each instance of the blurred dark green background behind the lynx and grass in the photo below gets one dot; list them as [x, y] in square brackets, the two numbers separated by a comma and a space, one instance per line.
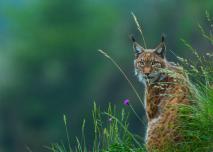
[50, 65]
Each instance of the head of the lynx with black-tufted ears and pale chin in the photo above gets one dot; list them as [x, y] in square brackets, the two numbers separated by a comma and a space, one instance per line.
[148, 62]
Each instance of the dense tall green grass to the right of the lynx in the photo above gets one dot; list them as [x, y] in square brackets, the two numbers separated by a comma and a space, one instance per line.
[196, 120]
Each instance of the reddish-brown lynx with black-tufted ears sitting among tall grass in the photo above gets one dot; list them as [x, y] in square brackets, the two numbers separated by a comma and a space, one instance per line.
[166, 87]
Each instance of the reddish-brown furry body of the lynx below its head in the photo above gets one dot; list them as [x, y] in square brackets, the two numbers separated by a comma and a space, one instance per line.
[162, 105]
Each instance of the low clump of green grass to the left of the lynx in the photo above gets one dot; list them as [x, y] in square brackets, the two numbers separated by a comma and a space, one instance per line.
[111, 134]
